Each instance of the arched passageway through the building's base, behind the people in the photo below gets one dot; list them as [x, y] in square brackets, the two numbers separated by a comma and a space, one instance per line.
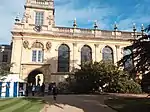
[35, 77]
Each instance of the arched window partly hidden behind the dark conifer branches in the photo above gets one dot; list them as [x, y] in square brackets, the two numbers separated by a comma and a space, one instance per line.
[129, 63]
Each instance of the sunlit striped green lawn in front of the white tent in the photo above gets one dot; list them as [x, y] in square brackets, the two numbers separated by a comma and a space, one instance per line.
[21, 105]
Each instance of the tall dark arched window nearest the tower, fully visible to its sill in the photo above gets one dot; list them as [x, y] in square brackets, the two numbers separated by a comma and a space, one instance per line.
[63, 58]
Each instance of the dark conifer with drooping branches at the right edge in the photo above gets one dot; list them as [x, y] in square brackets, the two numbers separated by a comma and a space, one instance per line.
[141, 57]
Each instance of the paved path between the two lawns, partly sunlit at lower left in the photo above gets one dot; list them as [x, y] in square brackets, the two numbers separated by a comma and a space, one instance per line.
[77, 103]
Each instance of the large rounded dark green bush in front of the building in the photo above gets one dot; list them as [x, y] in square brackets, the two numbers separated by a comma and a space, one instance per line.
[91, 77]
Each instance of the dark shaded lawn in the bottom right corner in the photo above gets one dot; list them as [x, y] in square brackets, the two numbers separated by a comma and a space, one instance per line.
[129, 104]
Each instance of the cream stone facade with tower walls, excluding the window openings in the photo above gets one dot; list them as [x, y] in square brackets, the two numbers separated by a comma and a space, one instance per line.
[50, 37]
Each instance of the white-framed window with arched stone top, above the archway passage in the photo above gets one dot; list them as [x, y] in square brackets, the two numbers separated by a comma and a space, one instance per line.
[37, 52]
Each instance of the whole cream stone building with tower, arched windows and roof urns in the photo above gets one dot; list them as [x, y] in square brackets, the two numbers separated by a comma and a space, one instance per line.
[40, 47]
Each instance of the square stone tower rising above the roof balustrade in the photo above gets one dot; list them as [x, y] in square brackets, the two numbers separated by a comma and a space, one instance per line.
[39, 13]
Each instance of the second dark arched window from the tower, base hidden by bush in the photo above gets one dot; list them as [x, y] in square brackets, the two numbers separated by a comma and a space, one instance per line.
[86, 54]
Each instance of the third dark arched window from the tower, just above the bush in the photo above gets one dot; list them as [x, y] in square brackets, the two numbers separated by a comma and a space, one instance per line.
[108, 54]
